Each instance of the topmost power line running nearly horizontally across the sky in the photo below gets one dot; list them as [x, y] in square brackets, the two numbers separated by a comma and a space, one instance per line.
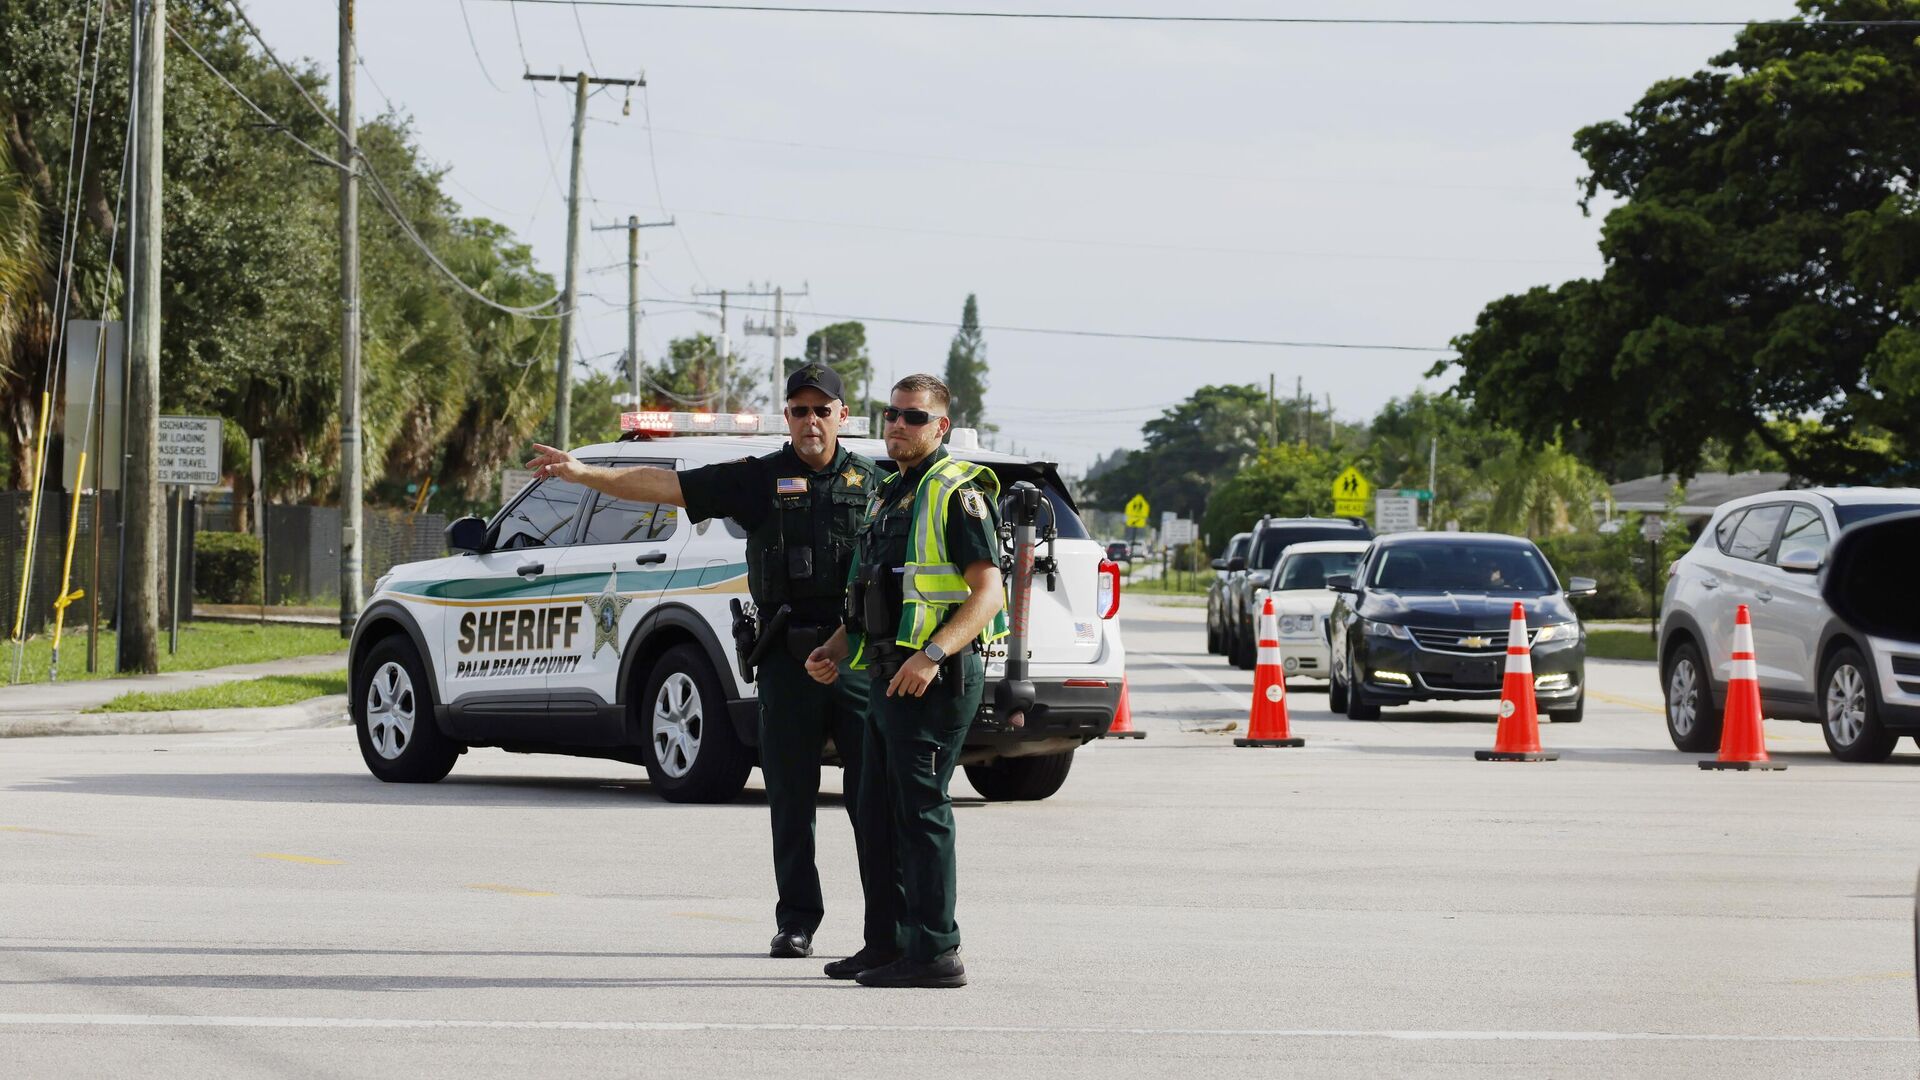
[1214, 20]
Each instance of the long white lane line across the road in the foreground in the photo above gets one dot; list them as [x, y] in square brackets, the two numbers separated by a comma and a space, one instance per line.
[673, 1027]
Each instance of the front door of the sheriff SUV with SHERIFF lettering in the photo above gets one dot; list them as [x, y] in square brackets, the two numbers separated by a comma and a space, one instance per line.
[500, 622]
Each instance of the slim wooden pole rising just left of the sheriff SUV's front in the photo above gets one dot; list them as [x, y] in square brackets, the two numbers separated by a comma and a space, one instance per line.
[350, 424]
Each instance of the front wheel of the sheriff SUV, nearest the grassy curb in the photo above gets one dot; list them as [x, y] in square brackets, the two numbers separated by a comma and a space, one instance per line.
[395, 716]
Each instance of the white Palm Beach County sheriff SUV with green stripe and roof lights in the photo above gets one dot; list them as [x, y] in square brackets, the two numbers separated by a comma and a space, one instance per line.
[579, 624]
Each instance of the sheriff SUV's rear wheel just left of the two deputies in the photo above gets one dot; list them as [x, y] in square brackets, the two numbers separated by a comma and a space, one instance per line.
[686, 733]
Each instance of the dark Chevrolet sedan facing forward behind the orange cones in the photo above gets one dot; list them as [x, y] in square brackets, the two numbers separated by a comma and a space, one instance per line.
[1426, 620]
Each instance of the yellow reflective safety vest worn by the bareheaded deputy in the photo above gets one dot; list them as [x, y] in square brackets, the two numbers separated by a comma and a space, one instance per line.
[930, 585]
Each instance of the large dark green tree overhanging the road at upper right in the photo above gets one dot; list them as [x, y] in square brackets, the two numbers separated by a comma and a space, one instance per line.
[1764, 264]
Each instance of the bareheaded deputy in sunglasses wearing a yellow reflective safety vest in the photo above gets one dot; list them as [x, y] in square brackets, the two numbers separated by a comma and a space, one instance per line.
[926, 593]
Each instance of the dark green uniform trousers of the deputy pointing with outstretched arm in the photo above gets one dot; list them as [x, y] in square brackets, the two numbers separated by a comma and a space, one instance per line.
[798, 718]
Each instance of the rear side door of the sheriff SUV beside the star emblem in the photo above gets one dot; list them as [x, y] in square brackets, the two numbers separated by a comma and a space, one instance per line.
[608, 579]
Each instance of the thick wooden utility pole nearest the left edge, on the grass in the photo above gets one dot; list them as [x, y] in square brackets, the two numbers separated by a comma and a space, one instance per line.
[139, 633]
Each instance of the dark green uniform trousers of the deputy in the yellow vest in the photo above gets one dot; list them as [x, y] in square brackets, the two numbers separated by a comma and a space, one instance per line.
[911, 752]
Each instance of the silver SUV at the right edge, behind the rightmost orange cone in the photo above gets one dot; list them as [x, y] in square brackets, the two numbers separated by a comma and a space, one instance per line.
[1767, 552]
